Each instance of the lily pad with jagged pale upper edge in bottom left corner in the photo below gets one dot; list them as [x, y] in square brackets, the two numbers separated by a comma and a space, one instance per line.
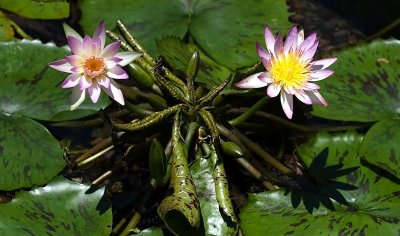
[61, 208]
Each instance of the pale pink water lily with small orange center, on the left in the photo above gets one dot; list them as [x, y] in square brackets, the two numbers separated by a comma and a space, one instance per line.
[92, 66]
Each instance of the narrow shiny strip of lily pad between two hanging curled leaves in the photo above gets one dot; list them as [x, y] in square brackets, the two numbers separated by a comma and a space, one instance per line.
[214, 222]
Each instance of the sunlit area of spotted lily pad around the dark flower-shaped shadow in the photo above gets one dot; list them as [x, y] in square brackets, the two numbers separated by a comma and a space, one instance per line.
[374, 208]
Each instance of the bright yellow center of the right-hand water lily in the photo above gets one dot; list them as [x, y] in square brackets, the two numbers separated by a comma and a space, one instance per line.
[289, 71]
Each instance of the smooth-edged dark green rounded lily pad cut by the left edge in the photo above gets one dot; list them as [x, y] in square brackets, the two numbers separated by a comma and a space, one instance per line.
[29, 155]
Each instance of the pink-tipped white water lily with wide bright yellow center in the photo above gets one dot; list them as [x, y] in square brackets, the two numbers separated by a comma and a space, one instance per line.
[290, 69]
